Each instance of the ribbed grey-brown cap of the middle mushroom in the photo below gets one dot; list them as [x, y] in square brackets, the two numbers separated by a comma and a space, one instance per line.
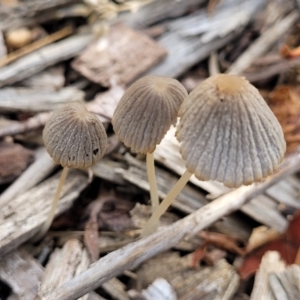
[146, 111]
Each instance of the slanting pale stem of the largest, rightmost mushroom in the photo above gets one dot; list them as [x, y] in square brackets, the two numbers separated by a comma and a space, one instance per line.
[152, 224]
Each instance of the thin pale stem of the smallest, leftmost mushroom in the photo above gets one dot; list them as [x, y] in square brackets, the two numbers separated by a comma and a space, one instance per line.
[50, 217]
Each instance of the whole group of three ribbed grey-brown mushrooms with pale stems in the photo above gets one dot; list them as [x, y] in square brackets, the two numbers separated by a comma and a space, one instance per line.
[226, 132]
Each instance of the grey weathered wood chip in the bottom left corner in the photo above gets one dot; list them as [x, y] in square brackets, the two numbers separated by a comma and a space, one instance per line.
[22, 273]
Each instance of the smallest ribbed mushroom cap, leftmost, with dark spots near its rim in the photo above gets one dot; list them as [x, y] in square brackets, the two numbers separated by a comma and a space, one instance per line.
[75, 137]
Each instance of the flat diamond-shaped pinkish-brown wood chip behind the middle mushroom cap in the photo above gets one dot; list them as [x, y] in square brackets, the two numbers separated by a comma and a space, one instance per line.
[115, 56]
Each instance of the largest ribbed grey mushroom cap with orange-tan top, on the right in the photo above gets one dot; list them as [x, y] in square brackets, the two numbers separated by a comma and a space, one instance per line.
[228, 133]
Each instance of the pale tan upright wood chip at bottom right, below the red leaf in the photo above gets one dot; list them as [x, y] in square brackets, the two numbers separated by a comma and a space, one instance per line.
[270, 263]
